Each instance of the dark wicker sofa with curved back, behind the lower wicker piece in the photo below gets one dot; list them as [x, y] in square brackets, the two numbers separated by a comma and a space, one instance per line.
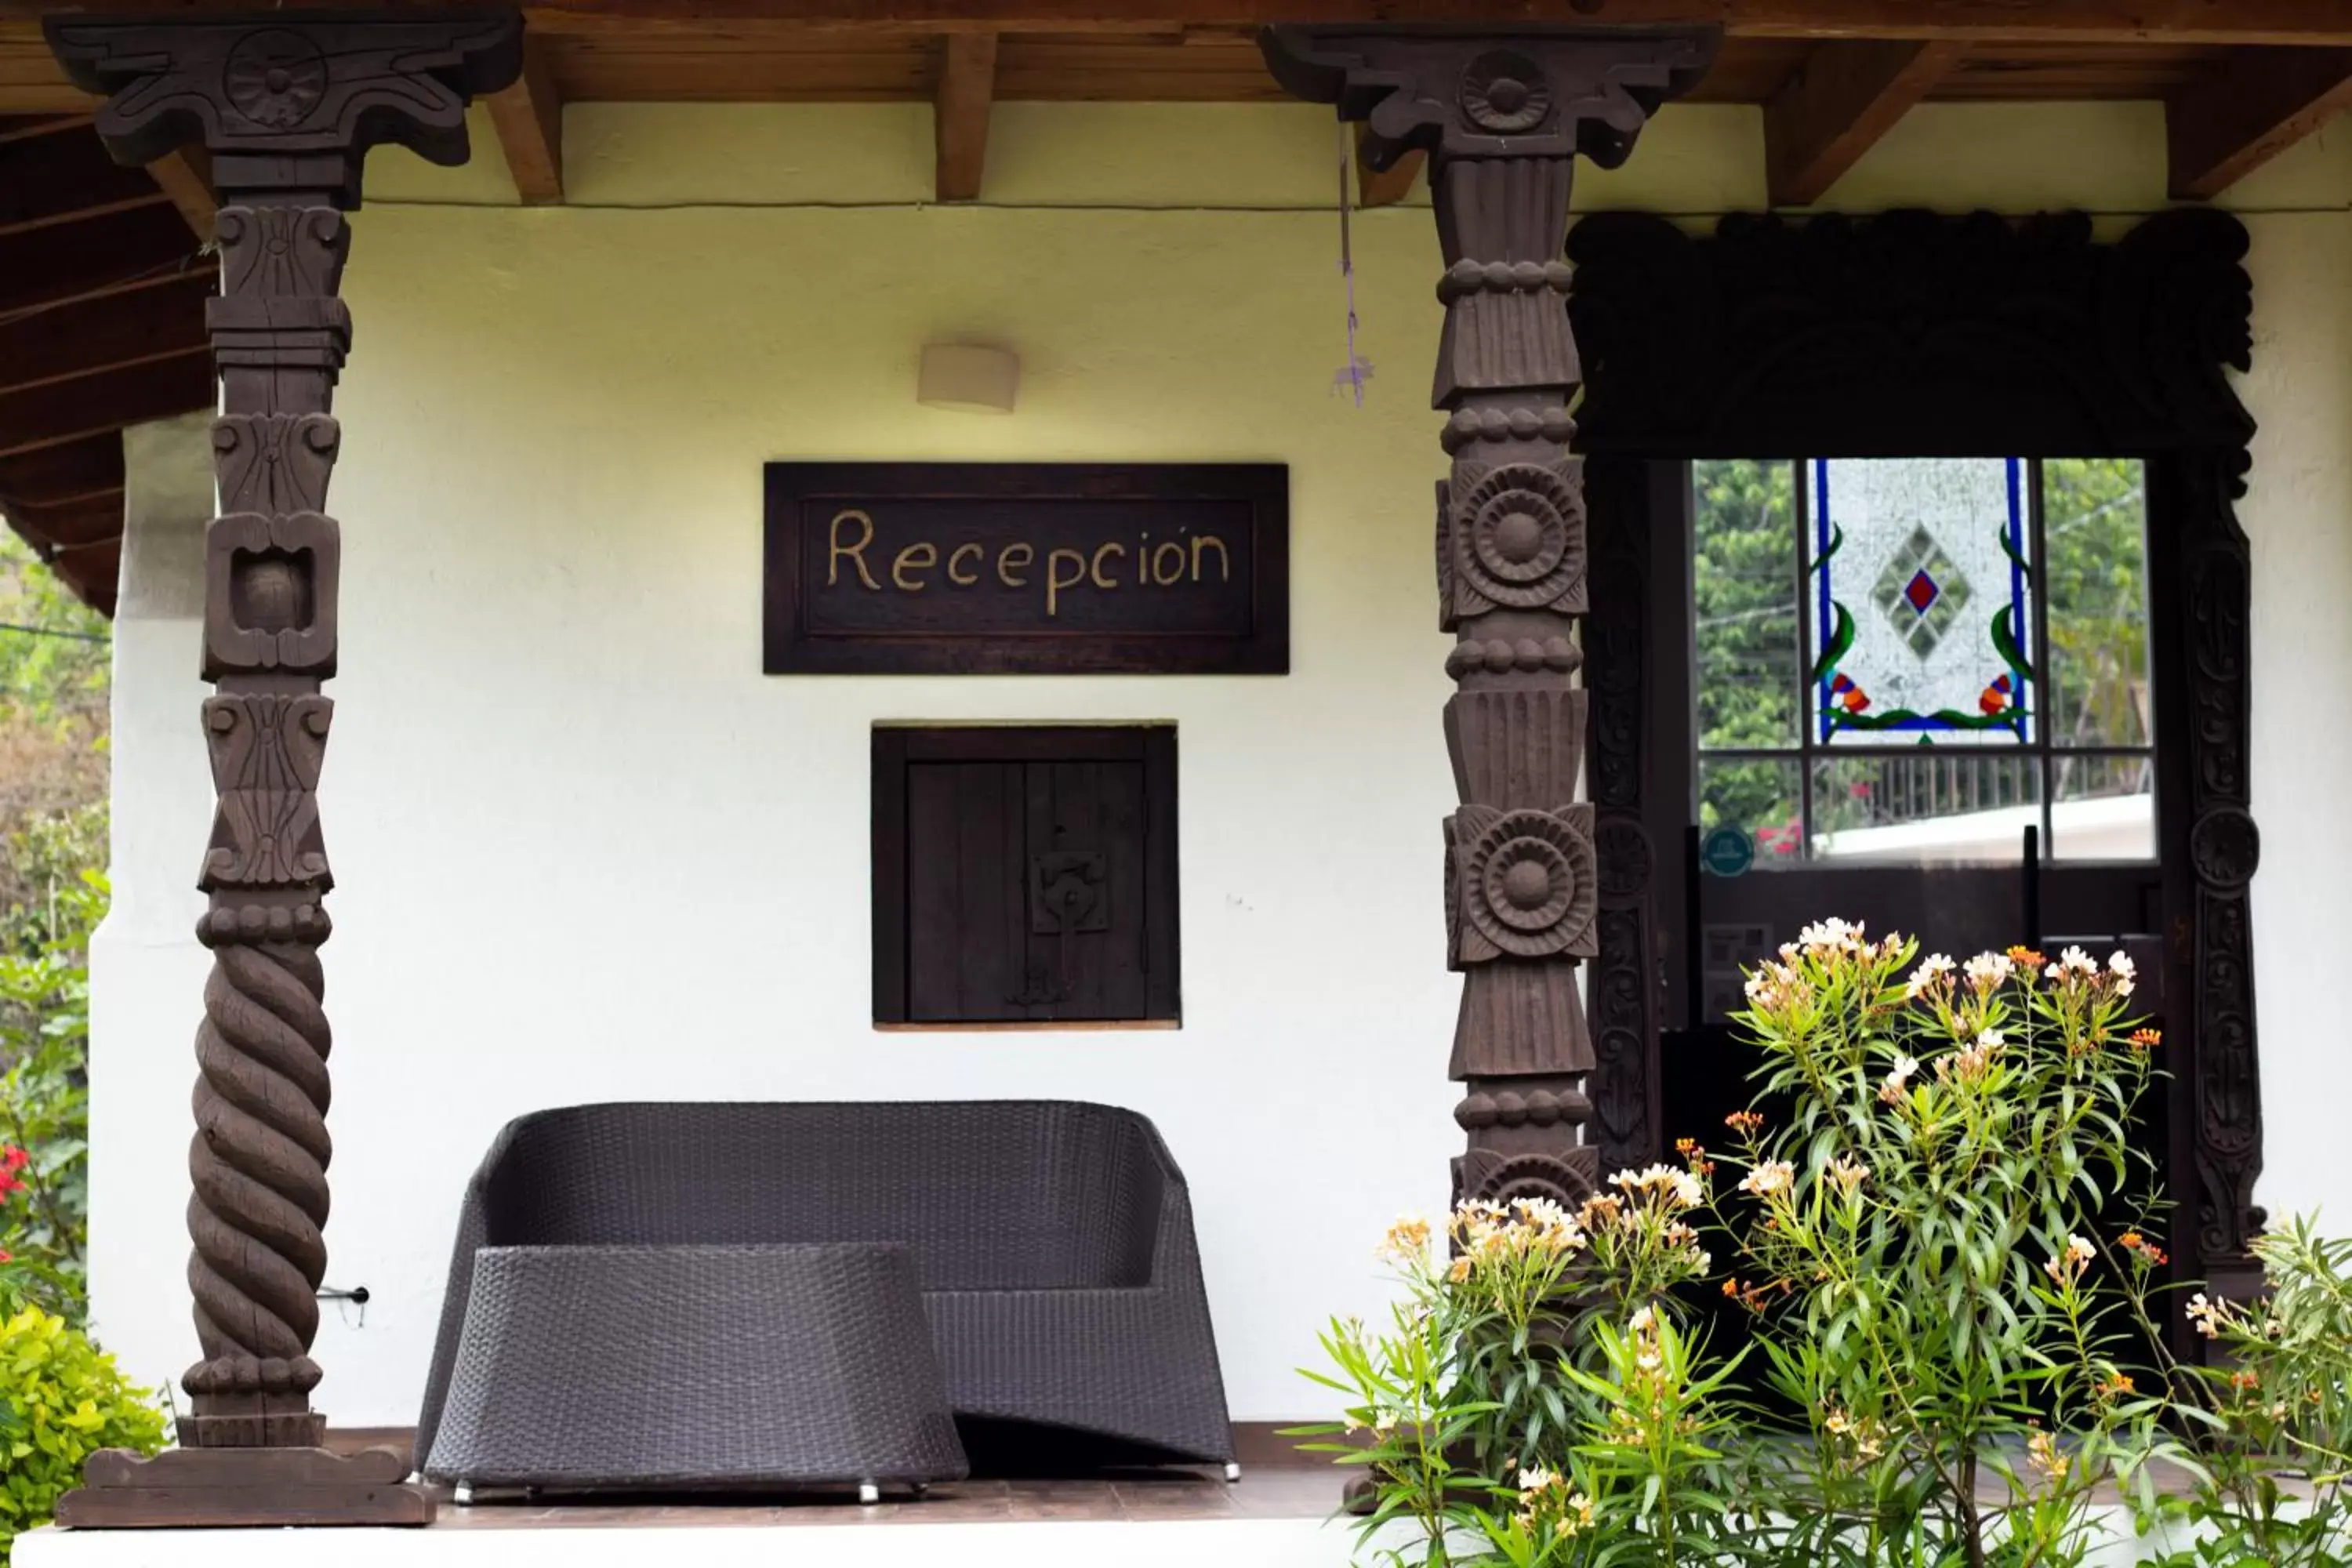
[1053, 1247]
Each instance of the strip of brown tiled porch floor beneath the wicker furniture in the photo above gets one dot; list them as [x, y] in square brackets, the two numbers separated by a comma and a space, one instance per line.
[1264, 1492]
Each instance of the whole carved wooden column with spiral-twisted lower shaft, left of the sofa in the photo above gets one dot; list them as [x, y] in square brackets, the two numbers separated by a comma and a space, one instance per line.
[288, 107]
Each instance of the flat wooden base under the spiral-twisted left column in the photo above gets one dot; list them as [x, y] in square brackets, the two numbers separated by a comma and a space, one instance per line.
[243, 1487]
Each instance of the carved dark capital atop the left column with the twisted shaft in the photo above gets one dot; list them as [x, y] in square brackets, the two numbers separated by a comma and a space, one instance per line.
[290, 98]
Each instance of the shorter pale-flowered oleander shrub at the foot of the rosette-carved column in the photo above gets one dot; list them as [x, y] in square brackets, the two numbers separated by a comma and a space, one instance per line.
[1532, 1381]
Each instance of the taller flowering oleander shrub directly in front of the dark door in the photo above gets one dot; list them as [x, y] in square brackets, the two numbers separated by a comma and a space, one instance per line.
[1942, 1247]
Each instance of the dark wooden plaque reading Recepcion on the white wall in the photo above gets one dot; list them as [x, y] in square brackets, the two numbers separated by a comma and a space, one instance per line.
[1029, 570]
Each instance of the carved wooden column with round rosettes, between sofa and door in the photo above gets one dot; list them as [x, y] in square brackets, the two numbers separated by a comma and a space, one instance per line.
[1504, 116]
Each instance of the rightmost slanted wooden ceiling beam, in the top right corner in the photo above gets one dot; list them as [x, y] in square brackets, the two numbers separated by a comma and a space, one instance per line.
[2257, 107]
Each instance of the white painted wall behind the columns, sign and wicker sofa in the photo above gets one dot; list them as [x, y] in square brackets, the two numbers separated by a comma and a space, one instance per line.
[587, 850]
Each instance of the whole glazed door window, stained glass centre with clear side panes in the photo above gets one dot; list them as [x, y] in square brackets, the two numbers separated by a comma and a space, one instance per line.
[1913, 662]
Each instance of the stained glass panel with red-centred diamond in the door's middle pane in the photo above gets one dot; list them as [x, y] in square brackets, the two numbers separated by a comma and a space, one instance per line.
[1923, 601]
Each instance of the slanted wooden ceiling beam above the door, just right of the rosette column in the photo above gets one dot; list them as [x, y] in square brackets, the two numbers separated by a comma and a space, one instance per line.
[1838, 105]
